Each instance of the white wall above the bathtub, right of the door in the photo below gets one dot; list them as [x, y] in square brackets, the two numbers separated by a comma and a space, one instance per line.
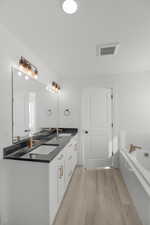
[134, 109]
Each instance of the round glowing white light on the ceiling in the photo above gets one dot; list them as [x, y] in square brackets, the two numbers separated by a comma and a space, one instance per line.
[70, 6]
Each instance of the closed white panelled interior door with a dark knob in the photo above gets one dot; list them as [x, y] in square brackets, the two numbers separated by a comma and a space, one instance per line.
[97, 127]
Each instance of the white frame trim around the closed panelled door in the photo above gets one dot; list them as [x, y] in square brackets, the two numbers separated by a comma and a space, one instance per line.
[82, 129]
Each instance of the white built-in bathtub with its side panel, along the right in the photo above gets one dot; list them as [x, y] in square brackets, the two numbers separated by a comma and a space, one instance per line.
[135, 169]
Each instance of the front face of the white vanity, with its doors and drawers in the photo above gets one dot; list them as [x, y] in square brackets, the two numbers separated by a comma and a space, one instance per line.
[61, 170]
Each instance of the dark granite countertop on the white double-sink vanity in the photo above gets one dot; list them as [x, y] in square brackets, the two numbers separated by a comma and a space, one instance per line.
[20, 151]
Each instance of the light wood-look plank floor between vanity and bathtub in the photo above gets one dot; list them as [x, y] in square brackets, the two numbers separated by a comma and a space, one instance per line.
[97, 197]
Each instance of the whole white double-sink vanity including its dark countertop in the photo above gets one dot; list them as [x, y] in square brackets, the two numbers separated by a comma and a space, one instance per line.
[38, 179]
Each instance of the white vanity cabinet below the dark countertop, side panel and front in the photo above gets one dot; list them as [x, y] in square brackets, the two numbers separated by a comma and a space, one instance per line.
[35, 189]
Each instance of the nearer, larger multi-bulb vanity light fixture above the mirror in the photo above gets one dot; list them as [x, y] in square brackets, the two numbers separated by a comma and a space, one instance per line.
[29, 69]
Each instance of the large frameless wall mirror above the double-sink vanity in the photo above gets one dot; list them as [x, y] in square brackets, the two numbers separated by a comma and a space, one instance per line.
[33, 107]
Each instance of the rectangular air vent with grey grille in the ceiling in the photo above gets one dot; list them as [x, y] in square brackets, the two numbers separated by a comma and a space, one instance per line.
[107, 49]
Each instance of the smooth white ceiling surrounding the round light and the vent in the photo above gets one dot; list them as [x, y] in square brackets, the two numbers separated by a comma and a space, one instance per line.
[67, 43]
